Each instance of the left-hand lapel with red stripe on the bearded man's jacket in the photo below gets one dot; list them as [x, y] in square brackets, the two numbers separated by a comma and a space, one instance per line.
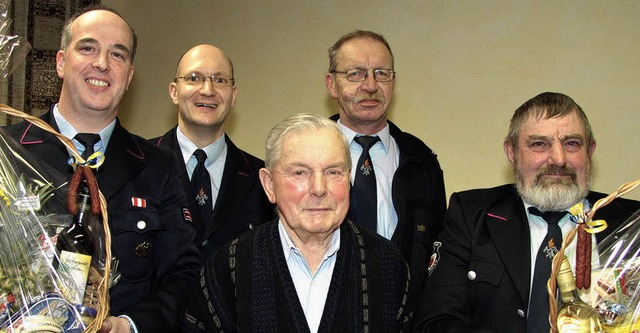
[509, 230]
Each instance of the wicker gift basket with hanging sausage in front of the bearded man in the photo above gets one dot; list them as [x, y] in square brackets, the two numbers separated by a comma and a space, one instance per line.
[619, 258]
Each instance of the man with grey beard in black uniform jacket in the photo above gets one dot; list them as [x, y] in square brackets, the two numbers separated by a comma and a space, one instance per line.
[483, 276]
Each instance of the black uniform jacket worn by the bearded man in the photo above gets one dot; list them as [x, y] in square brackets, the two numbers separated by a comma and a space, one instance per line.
[487, 231]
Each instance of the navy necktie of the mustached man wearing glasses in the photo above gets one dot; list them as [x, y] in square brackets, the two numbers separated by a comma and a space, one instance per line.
[364, 203]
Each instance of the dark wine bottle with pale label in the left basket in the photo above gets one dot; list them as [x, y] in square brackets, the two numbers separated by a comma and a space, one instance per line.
[75, 247]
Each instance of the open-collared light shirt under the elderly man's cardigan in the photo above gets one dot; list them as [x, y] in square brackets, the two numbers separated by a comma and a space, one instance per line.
[312, 289]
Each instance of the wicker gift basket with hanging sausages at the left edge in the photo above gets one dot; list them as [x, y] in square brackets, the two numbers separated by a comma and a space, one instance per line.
[96, 295]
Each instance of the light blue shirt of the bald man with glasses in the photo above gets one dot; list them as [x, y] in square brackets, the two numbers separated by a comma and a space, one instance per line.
[216, 158]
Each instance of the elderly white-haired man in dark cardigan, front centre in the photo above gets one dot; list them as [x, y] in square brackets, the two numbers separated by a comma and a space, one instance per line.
[310, 269]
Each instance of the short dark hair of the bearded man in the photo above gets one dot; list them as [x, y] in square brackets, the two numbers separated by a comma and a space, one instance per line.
[547, 105]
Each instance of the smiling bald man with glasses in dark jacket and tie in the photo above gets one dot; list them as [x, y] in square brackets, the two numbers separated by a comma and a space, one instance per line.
[229, 200]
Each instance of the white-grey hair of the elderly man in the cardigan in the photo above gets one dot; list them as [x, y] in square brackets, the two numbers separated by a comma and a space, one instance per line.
[298, 124]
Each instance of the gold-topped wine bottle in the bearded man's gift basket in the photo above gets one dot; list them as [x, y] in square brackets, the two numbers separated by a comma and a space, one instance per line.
[575, 316]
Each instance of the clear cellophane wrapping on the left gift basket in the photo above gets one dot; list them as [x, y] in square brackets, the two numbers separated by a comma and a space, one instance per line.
[34, 292]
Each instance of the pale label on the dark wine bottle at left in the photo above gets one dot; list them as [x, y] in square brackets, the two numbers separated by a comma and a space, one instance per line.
[77, 267]
